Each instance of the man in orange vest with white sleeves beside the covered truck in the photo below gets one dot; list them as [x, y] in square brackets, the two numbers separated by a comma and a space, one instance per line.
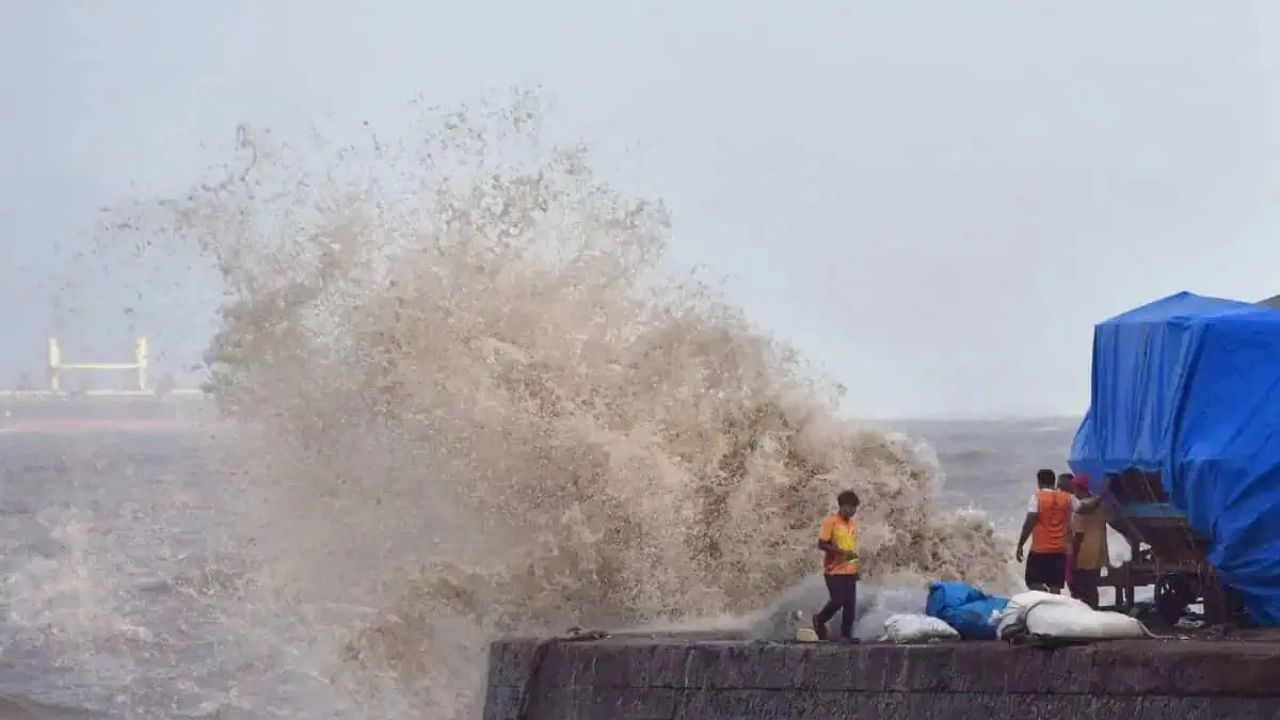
[1048, 526]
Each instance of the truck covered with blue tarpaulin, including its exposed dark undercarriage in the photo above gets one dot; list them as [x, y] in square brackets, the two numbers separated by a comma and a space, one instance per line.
[1183, 441]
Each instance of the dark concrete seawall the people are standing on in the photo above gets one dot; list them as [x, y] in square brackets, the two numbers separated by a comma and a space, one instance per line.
[683, 680]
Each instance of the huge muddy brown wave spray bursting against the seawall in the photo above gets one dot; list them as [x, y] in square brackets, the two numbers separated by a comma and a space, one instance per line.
[465, 402]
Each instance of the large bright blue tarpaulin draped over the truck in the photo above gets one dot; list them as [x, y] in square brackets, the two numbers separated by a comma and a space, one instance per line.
[1190, 388]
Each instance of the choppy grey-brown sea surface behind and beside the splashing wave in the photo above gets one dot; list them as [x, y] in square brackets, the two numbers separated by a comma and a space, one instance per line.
[121, 593]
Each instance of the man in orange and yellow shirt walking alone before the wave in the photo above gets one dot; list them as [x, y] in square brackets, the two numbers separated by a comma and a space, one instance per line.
[838, 540]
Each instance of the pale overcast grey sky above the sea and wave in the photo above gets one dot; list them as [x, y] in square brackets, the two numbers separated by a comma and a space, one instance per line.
[934, 200]
